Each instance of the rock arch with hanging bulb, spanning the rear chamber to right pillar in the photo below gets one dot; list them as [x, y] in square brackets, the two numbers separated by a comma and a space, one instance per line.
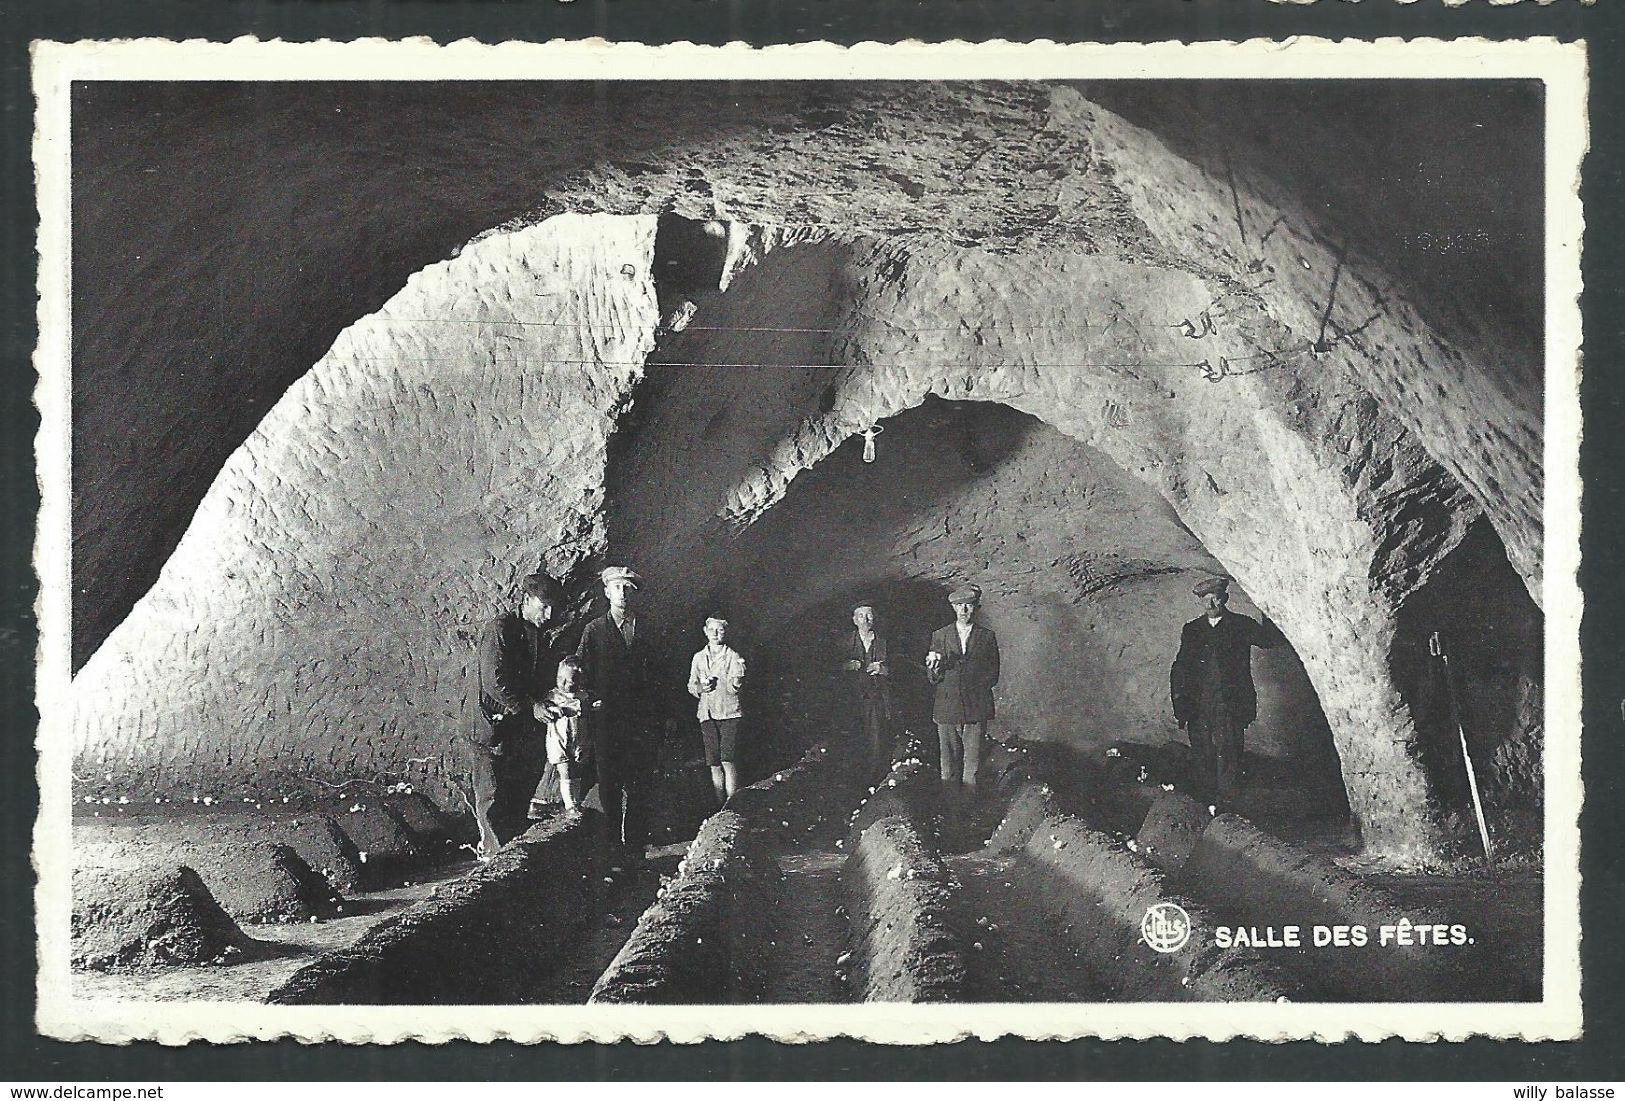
[1291, 475]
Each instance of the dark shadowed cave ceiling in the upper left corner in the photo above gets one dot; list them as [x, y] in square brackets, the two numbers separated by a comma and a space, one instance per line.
[119, 563]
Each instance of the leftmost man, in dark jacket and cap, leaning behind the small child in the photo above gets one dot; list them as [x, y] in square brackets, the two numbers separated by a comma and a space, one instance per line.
[519, 660]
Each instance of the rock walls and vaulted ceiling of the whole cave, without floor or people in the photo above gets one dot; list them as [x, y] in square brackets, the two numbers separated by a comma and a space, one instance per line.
[745, 353]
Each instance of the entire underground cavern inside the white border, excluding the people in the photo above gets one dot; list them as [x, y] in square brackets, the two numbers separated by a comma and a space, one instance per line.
[784, 353]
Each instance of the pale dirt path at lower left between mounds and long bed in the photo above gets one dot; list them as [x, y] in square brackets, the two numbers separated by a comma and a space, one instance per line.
[277, 952]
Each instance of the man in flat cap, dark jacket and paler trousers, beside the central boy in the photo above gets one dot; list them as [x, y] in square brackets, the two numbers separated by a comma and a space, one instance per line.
[964, 667]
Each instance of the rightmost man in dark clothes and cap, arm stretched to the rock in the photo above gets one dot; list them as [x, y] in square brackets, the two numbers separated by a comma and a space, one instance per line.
[1213, 688]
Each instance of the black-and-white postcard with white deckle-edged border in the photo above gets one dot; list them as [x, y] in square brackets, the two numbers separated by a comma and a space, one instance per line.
[594, 542]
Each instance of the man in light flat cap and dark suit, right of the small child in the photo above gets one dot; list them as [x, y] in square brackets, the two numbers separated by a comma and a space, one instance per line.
[615, 655]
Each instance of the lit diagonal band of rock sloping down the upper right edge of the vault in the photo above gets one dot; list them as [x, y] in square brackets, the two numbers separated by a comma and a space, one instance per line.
[1475, 404]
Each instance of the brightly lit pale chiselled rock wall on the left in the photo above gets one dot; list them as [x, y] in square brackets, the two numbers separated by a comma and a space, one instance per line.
[318, 620]
